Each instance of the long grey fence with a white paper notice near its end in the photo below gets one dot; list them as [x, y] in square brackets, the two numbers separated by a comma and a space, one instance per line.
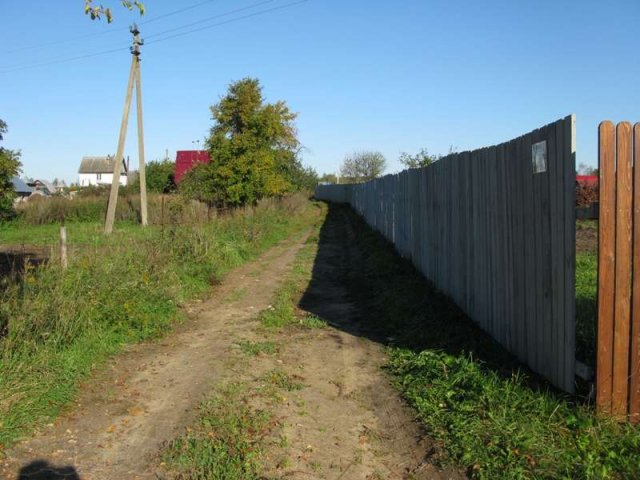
[495, 230]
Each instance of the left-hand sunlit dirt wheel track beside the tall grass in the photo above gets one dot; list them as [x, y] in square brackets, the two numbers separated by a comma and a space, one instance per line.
[146, 396]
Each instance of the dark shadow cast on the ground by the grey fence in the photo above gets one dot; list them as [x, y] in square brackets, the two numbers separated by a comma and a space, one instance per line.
[362, 286]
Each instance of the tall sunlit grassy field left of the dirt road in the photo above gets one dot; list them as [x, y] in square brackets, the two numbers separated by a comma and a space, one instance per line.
[59, 325]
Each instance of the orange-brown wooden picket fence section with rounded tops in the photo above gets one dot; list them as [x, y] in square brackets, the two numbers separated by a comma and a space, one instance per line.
[618, 348]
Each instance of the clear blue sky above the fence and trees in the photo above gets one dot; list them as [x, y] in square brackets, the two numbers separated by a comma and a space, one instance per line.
[391, 76]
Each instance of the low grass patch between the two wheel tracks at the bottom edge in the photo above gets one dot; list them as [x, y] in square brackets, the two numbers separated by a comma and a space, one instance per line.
[224, 444]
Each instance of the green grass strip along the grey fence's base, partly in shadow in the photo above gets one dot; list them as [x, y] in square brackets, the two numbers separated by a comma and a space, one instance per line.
[487, 413]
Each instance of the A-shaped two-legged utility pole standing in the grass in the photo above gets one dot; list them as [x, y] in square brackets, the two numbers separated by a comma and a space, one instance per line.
[134, 76]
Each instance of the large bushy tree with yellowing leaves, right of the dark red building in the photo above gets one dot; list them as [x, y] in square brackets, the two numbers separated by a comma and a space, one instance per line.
[253, 147]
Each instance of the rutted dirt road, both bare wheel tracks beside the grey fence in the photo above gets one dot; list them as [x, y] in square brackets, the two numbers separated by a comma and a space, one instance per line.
[346, 423]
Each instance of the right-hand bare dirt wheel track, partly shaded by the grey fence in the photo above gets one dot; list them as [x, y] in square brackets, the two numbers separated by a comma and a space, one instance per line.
[348, 422]
